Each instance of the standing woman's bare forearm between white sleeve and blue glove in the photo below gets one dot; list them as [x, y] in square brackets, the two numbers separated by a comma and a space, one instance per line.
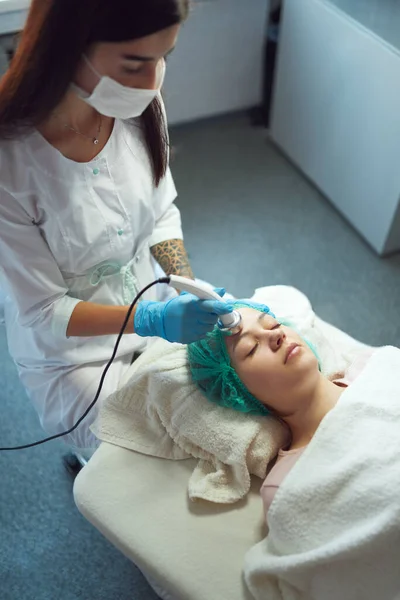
[90, 319]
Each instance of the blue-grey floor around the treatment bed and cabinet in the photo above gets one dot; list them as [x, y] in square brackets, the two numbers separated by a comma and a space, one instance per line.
[250, 220]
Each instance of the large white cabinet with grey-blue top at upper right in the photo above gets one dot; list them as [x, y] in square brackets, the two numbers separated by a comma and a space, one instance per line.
[336, 109]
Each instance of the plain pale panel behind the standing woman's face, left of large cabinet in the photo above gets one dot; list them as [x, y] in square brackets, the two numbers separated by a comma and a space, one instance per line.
[217, 66]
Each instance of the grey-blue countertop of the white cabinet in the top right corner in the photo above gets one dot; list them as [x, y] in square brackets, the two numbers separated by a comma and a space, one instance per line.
[382, 17]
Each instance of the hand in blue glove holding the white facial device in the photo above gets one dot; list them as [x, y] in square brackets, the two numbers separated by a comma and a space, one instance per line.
[184, 319]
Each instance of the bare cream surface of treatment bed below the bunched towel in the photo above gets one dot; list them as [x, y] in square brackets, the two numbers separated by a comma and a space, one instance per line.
[191, 550]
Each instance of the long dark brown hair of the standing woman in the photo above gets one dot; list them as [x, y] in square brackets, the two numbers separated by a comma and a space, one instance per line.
[51, 45]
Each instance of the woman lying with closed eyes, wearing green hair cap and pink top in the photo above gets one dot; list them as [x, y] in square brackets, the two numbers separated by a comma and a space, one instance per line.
[269, 369]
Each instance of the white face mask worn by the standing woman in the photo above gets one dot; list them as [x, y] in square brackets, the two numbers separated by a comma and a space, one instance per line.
[112, 99]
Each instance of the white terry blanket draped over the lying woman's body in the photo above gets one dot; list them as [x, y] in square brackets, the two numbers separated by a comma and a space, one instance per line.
[334, 525]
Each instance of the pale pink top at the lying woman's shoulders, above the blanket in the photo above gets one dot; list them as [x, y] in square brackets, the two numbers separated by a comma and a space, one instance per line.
[288, 458]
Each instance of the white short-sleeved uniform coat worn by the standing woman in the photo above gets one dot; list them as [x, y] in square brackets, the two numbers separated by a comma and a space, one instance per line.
[70, 232]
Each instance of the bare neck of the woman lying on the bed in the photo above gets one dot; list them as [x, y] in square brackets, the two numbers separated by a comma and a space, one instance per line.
[305, 421]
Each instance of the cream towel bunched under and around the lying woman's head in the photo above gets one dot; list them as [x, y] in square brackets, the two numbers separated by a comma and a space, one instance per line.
[160, 412]
